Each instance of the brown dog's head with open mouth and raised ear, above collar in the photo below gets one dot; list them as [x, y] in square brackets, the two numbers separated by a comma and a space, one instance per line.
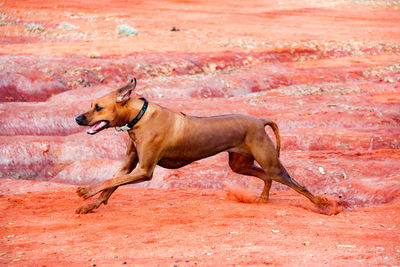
[105, 111]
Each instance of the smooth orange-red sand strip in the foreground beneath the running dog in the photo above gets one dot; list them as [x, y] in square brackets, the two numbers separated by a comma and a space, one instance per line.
[191, 227]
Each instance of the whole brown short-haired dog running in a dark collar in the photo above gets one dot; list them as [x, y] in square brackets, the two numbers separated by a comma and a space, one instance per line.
[159, 136]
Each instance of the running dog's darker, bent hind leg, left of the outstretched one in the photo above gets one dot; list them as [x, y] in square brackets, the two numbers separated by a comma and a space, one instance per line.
[244, 164]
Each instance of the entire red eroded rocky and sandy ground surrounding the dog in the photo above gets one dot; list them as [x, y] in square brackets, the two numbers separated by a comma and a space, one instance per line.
[327, 72]
